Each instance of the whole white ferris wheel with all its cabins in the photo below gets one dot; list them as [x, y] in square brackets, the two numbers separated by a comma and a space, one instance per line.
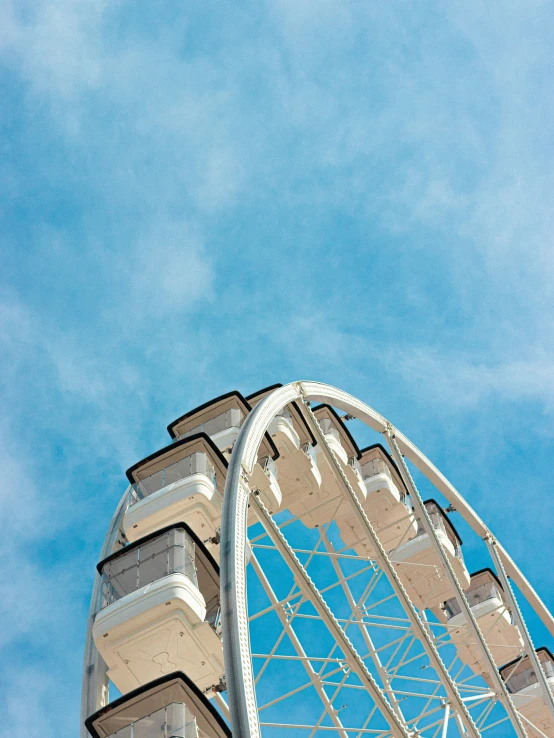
[263, 575]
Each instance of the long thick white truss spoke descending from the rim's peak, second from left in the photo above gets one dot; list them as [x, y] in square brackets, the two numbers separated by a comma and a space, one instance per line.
[385, 563]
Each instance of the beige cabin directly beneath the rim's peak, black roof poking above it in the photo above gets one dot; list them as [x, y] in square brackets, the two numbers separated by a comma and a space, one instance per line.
[298, 473]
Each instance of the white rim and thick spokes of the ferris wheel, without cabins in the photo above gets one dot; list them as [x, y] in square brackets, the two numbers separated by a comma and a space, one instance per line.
[242, 707]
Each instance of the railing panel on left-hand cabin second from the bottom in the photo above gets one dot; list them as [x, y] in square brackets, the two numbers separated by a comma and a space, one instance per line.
[173, 552]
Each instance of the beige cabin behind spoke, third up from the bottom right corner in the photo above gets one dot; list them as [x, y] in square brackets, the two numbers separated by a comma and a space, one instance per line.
[418, 564]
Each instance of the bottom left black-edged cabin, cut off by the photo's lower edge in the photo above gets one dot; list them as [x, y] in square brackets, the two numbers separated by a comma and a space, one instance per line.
[169, 707]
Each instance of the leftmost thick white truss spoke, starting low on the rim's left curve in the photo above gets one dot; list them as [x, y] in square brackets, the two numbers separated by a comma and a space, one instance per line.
[398, 728]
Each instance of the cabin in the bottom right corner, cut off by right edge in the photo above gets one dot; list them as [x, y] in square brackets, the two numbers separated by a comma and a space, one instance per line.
[526, 692]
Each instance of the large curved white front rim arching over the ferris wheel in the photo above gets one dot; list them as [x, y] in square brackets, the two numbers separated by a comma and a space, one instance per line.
[240, 682]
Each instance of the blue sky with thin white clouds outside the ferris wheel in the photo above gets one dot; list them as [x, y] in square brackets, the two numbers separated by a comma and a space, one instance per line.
[201, 196]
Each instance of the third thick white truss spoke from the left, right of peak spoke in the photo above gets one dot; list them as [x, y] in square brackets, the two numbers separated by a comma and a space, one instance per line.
[471, 621]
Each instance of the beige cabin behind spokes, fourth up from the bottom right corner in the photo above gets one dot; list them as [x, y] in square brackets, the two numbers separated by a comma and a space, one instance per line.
[386, 505]
